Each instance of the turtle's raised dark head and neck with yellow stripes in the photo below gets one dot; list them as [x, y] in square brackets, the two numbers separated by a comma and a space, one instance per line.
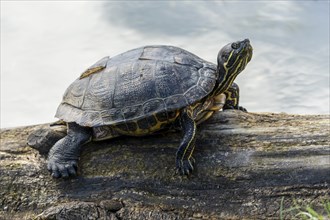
[232, 59]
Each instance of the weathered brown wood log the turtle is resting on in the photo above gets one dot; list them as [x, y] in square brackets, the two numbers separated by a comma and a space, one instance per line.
[246, 164]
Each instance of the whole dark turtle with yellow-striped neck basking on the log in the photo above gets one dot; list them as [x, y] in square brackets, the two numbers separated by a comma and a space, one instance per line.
[143, 91]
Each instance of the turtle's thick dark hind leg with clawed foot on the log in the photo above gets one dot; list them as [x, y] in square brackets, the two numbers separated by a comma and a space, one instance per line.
[64, 155]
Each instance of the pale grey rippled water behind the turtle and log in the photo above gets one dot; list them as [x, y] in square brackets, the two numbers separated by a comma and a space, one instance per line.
[47, 45]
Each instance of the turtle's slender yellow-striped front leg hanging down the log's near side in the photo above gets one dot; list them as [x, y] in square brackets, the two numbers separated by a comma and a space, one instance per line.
[184, 159]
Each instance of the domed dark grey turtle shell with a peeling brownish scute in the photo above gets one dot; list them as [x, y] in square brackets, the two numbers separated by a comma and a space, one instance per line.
[137, 84]
